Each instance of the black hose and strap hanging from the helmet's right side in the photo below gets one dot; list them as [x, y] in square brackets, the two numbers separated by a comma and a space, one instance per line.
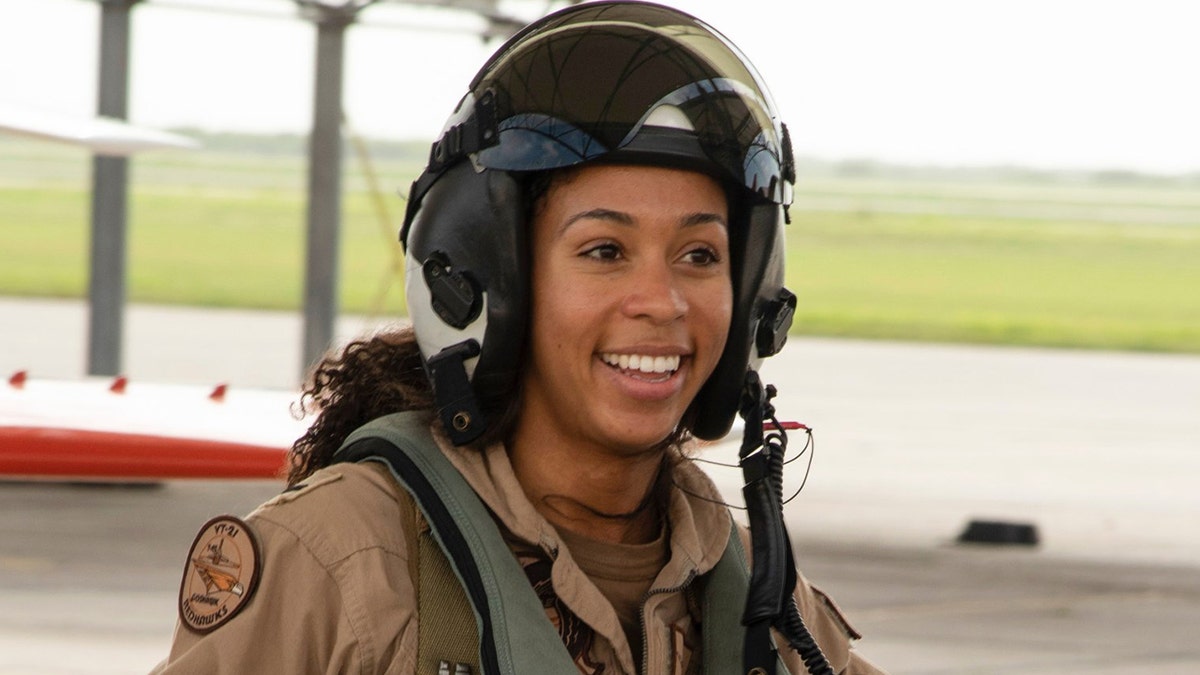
[771, 601]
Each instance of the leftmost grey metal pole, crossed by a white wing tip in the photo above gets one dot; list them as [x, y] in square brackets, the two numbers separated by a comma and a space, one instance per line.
[110, 190]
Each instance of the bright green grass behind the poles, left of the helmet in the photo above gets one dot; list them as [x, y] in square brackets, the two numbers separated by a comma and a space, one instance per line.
[195, 249]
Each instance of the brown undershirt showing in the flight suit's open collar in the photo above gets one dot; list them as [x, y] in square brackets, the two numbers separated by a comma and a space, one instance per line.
[625, 575]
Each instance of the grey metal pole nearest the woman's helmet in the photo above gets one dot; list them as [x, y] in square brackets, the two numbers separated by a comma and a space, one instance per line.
[325, 187]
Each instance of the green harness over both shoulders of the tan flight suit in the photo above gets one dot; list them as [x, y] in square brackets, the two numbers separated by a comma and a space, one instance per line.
[464, 568]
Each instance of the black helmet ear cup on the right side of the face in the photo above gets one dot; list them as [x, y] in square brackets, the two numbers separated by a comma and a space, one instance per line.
[757, 247]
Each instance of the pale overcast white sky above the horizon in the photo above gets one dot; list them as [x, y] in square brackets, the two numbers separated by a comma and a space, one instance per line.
[1048, 83]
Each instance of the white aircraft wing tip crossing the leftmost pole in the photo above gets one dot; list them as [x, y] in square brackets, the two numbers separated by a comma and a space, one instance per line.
[104, 136]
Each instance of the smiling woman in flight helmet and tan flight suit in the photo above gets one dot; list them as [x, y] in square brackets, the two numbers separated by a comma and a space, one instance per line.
[595, 267]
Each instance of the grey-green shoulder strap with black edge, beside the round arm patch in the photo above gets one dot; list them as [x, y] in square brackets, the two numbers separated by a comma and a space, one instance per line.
[514, 635]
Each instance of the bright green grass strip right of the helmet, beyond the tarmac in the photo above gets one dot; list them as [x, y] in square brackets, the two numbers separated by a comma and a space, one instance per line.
[1000, 282]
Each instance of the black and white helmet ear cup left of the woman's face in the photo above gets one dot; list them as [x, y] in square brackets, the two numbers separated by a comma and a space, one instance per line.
[469, 277]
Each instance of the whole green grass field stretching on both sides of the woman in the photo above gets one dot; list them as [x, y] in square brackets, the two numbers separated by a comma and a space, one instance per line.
[1059, 262]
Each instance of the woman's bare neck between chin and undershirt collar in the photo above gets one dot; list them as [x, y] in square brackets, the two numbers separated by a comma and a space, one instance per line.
[605, 498]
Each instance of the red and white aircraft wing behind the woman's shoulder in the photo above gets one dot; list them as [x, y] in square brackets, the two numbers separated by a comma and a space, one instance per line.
[103, 431]
